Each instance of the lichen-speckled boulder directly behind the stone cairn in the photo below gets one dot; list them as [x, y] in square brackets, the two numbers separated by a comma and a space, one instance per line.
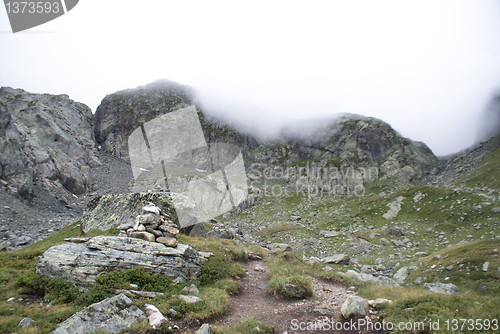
[122, 210]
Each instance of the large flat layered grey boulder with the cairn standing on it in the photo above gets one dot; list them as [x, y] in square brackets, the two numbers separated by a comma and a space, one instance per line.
[83, 262]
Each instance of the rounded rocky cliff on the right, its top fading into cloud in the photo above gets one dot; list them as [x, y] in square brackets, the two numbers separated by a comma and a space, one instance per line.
[353, 141]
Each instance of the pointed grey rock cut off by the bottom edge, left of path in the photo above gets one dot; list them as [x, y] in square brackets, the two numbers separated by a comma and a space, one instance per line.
[111, 315]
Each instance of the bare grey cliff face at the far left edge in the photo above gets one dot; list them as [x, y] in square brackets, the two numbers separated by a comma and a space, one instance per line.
[46, 141]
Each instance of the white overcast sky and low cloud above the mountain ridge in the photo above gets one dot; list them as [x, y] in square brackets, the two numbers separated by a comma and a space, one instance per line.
[428, 68]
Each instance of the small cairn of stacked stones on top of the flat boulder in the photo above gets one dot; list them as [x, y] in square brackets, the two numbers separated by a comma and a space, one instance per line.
[152, 225]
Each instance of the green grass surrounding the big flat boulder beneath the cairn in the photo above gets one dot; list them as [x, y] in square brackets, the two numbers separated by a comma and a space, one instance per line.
[18, 279]
